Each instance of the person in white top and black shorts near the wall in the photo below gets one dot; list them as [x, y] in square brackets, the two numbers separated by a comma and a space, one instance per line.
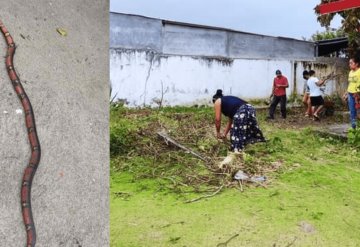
[317, 101]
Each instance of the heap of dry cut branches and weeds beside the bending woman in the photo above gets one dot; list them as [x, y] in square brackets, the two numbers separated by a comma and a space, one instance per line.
[181, 152]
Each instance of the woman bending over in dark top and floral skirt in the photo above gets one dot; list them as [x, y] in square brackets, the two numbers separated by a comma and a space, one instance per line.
[242, 122]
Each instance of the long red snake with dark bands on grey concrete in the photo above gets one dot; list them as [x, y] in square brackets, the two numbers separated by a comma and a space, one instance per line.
[30, 169]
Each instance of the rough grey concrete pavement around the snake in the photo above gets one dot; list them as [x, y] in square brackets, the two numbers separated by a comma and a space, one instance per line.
[66, 79]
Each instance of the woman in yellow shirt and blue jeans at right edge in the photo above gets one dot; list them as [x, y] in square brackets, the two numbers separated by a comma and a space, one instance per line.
[353, 90]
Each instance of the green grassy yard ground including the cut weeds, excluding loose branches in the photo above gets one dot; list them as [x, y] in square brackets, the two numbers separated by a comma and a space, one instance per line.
[312, 198]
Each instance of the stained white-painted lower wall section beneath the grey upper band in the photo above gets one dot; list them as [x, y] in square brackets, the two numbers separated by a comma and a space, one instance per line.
[142, 78]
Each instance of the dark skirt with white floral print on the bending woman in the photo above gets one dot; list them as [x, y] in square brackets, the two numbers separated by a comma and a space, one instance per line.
[245, 129]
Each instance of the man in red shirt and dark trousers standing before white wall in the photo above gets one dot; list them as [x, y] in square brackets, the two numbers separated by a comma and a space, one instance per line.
[279, 95]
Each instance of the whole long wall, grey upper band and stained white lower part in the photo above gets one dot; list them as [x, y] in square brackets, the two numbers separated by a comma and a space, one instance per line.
[184, 64]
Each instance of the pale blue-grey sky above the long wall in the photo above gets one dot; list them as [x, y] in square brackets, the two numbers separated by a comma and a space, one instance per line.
[286, 18]
